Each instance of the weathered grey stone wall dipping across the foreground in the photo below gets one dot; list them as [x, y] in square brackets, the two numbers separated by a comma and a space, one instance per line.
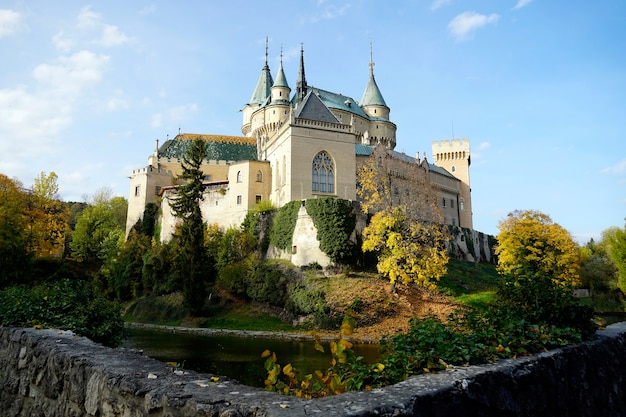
[54, 373]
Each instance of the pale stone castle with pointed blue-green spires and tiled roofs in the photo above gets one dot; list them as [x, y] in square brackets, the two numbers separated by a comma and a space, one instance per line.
[295, 147]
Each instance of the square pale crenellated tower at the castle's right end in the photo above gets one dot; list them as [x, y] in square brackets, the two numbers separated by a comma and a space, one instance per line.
[454, 156]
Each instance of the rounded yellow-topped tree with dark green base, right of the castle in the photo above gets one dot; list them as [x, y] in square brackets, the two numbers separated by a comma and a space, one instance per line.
[541, 263]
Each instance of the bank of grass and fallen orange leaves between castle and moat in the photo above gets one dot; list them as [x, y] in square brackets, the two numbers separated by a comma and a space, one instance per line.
[368, 298]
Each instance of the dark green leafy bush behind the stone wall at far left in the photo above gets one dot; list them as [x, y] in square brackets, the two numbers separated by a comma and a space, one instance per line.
[65, 304]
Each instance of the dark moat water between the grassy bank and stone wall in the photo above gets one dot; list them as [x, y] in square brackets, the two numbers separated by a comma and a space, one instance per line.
[234, 357]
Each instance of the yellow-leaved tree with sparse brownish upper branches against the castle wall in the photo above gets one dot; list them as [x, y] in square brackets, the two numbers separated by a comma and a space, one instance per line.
[406, 230]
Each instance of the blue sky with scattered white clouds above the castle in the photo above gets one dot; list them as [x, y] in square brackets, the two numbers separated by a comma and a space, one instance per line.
[538, 86]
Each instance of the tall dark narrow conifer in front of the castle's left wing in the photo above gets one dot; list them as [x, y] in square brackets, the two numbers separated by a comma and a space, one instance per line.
[192, 261]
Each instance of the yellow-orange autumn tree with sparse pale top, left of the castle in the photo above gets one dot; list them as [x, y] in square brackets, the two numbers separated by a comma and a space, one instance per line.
[49, 217]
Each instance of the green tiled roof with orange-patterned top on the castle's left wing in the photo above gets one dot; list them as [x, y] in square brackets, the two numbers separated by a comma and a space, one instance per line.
[221, 148]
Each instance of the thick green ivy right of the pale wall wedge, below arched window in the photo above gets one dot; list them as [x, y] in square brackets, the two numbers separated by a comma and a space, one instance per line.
[335, 220]
